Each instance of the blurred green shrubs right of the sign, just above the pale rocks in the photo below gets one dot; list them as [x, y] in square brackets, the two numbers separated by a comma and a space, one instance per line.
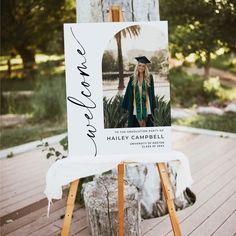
[188, 90]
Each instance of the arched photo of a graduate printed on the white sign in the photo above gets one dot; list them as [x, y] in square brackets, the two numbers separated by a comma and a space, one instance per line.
[135, 78]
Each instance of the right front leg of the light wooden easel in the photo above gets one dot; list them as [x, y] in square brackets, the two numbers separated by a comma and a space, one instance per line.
[169, 196]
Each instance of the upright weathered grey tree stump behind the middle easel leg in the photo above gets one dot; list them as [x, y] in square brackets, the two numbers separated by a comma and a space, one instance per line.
[100, 197]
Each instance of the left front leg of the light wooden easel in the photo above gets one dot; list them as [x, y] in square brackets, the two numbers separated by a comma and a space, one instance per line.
[69, 208]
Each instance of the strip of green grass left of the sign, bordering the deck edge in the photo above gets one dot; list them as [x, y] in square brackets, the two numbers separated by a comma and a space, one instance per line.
[30, 132]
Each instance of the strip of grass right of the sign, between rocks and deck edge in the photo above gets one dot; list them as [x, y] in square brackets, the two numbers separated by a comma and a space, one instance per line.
[225, 122]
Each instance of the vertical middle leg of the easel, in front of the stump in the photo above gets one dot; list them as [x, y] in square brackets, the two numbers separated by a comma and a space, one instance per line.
[121, 198]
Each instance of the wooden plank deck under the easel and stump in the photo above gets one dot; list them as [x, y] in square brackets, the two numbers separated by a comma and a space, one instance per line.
[213, 166]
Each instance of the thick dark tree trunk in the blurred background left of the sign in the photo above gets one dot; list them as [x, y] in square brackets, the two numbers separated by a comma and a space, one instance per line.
[28, 58]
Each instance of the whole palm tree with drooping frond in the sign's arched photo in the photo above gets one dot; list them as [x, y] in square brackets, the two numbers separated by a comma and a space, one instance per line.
[132, 31]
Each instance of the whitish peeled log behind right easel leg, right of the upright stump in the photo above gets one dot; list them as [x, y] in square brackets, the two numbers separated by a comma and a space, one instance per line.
[152, 202]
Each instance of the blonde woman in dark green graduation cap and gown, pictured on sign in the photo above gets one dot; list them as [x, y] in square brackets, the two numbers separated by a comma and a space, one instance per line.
[139, 99]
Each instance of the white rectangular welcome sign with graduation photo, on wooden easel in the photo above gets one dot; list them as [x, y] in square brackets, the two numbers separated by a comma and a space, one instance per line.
[103, 117]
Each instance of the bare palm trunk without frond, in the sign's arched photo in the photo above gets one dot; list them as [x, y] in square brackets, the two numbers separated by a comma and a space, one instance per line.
[121, 85]
